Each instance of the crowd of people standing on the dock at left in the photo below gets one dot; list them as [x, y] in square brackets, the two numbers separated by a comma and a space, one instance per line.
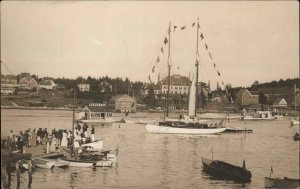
[55, 138]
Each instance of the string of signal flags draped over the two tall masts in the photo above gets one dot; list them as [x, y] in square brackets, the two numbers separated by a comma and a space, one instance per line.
[176, 28]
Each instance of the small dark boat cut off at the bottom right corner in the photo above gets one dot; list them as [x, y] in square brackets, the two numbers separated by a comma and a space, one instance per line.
[281, 183]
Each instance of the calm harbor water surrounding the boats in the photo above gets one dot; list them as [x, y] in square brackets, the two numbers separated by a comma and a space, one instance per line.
[164, 161]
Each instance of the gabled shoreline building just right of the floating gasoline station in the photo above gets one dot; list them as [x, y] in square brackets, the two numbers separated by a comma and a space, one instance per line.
[123, 103]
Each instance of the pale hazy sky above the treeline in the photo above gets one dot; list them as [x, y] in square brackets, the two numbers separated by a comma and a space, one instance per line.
[248, 40]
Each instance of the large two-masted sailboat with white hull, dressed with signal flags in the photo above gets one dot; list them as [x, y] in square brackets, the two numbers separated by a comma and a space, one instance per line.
[189, 124]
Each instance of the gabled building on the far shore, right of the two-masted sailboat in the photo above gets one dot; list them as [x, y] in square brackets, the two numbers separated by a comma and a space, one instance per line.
[245, 97]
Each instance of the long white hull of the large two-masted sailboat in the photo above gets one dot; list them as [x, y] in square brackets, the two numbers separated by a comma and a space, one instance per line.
[175, 130]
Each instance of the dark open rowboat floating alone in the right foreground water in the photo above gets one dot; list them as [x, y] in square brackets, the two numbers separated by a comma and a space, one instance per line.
[223, 170]
